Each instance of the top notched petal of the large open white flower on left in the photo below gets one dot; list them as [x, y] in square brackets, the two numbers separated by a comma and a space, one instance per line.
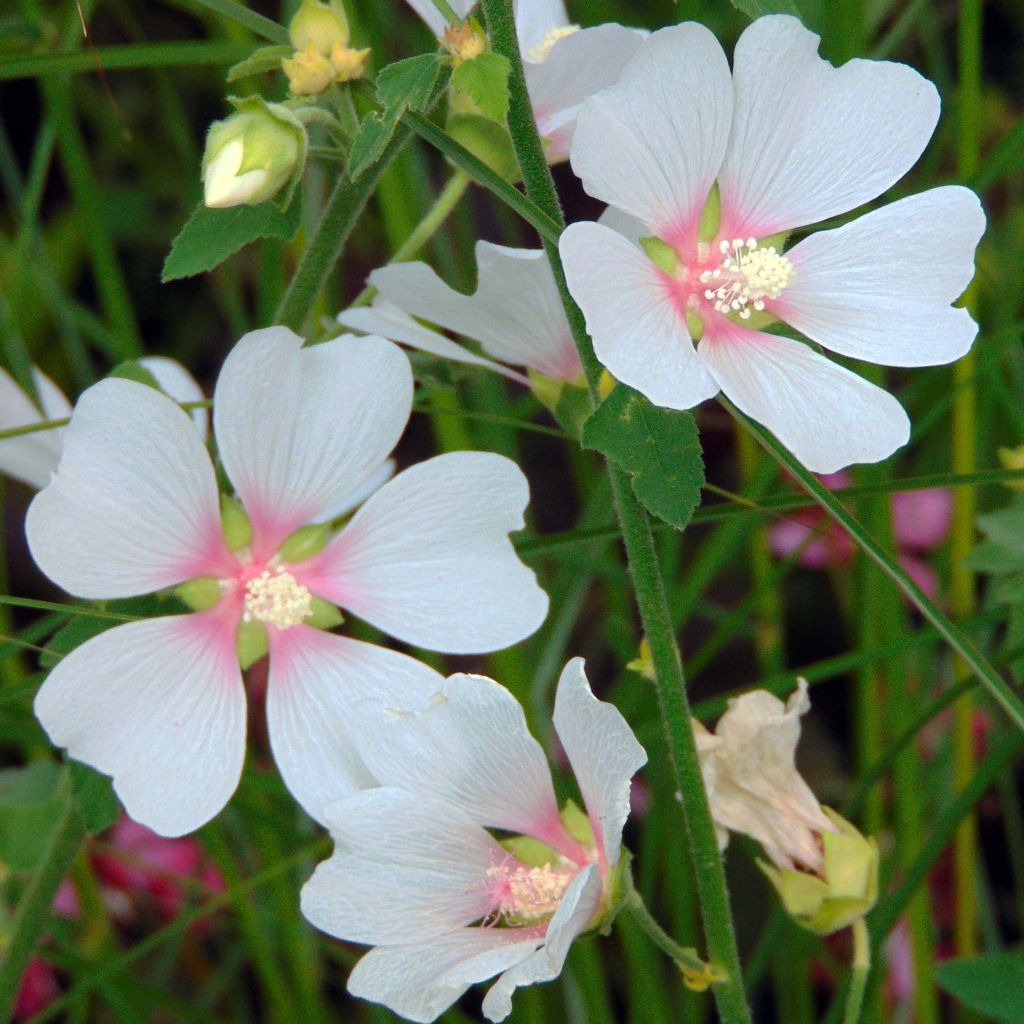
[302, 430]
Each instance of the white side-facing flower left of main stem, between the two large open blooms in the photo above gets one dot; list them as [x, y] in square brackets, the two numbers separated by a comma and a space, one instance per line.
[516, 313]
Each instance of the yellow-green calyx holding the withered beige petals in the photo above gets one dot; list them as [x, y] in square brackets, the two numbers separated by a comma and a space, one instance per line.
[844, 892]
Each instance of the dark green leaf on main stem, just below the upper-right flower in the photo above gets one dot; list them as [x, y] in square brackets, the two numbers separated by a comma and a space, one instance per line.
[659, 448]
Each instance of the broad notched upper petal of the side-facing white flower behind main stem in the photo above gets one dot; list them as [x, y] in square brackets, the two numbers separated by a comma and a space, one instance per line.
[516, 314]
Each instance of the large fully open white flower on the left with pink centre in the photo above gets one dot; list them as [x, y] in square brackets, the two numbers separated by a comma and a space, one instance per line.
[135, 508]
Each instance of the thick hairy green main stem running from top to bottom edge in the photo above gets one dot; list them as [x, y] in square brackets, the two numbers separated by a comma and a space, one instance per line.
[639, 542]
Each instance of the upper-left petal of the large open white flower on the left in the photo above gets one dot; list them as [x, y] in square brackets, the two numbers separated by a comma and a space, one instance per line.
[134, 507]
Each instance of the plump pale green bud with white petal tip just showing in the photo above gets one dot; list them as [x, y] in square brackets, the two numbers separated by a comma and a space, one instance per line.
[253, 155]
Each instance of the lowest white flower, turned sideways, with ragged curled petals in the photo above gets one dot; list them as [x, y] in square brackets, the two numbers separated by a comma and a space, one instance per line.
[416, 875]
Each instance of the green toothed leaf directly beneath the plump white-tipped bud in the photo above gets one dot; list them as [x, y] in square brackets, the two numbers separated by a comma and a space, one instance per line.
[210, 237]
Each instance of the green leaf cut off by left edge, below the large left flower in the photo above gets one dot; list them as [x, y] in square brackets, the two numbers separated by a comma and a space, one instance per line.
[30, 799]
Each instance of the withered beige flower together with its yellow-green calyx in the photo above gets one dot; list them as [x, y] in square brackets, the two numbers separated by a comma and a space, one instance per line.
[824, 870]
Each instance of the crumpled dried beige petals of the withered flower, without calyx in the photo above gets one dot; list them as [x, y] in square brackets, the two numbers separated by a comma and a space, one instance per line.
[750, 772]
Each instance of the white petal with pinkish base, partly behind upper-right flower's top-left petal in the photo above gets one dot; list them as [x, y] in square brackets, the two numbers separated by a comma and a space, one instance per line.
[578, 67]
